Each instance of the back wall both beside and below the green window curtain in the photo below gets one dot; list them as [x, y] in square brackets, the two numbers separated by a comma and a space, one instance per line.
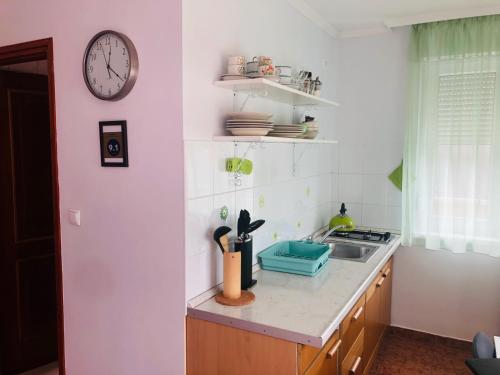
[439, 292]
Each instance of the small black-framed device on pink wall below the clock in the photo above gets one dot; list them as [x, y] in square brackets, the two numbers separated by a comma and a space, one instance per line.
[113, 139]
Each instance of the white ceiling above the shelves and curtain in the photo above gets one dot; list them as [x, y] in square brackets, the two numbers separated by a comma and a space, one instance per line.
[346, 18]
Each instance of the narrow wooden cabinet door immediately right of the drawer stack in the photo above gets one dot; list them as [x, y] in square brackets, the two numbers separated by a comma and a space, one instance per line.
[373, 318]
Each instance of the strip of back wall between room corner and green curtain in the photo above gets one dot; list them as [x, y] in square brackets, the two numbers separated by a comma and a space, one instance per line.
[372, 81]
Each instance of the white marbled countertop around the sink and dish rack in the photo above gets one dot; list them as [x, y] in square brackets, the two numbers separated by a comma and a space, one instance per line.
[298, 308]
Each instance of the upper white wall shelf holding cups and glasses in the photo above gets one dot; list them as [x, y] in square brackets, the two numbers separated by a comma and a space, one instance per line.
[275, 91]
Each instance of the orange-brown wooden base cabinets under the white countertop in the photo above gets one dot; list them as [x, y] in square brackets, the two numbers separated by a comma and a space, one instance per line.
[216, 349]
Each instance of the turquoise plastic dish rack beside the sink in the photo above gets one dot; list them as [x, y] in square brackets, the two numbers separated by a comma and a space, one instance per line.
[299, 257]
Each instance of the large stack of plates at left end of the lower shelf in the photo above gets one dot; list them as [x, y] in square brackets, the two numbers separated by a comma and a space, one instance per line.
[249, 123]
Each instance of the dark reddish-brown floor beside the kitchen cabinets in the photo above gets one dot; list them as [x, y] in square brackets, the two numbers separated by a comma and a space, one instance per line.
[408, 352]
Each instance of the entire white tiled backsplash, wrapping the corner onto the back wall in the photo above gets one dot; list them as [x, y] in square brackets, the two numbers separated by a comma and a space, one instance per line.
[294, 204]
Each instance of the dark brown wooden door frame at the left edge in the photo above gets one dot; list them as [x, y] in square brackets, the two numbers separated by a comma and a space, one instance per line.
[33, 51]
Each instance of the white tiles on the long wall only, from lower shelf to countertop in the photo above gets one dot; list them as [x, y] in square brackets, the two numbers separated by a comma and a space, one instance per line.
[293, 203]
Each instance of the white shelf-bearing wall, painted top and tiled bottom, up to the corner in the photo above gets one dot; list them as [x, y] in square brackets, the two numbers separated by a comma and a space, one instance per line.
[292, 205]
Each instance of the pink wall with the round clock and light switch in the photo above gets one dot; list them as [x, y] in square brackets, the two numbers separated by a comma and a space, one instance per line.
[124, 267]
